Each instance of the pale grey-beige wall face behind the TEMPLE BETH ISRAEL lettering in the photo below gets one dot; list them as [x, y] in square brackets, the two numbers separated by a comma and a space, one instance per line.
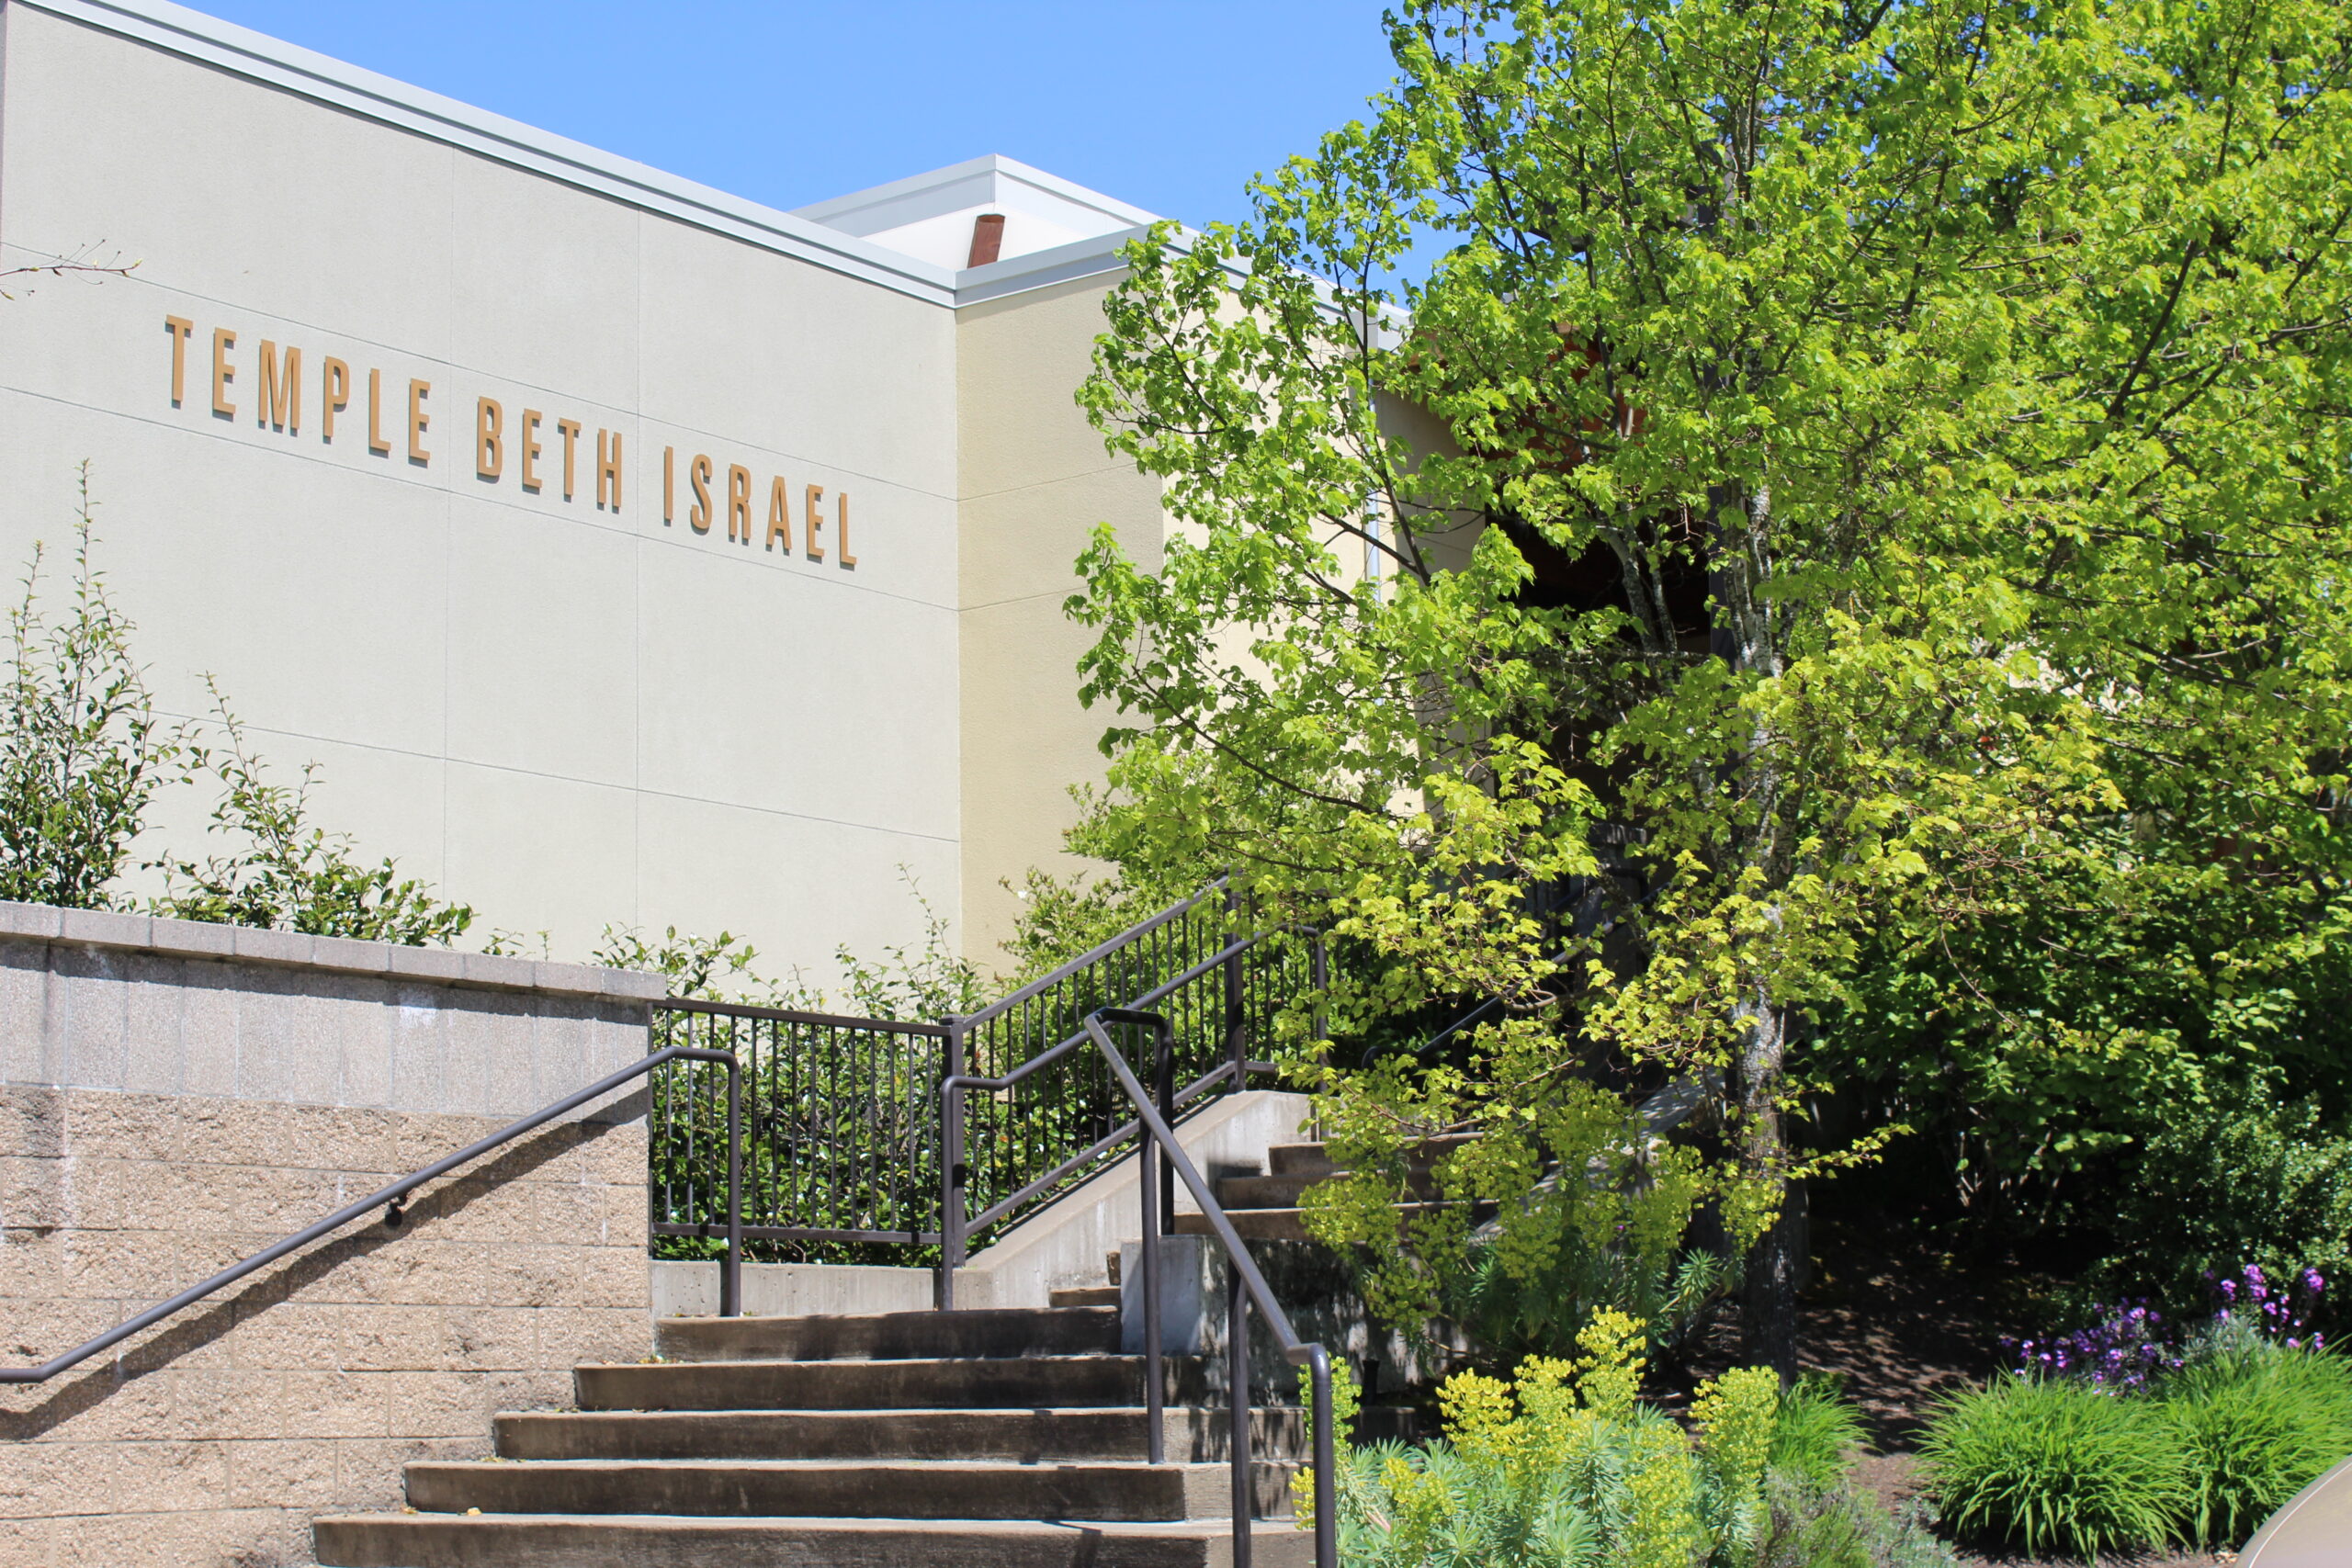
[563, 713]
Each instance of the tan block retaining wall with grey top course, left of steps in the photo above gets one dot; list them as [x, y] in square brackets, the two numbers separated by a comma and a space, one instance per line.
[171, 1108]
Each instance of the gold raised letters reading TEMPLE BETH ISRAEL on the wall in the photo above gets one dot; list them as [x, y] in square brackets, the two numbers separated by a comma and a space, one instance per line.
[279, 406]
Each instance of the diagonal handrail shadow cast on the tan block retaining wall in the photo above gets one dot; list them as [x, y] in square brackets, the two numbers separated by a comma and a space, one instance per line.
[208, 1322]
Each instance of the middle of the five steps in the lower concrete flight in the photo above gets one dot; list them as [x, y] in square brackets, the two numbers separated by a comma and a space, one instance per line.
[1194, 1435]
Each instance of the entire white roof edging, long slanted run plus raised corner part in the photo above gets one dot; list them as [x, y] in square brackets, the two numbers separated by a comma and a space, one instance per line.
[368, 95]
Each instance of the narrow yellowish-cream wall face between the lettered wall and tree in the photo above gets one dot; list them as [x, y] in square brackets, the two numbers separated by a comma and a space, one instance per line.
[1034, 485]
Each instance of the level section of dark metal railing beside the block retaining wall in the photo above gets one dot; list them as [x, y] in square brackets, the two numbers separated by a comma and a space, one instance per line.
[841, 1134]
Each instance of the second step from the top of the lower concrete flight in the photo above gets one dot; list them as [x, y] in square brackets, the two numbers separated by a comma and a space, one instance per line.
[881, 1386]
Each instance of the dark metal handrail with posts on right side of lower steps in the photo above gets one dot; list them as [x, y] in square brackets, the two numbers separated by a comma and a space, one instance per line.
[1245, 1287]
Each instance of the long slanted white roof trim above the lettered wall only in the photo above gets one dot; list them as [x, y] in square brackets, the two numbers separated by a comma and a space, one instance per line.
[523, 147]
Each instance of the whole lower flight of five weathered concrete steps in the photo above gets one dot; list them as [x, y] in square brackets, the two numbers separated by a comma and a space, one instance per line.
[996, 1440]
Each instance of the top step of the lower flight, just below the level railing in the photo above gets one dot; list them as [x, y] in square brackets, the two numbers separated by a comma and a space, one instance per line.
[888, 1336]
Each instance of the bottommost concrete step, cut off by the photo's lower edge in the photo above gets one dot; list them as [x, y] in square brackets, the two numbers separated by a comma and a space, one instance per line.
[622, 1541]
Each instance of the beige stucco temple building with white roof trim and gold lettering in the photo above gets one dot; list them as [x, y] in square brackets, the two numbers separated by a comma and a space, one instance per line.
[622, 551]
